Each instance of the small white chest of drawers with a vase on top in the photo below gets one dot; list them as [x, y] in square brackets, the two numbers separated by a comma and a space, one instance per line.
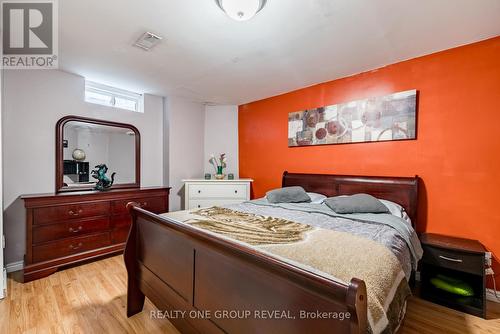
[200, 193]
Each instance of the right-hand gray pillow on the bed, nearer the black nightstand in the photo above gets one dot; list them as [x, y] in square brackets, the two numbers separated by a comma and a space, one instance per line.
[359, 203]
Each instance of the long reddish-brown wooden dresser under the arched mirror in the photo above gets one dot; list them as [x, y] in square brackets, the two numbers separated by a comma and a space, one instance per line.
[67, 228]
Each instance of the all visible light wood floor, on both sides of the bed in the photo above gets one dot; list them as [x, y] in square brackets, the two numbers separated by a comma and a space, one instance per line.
[92, 298]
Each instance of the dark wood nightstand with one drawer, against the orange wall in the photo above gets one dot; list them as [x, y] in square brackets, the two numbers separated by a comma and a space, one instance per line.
[458, 258]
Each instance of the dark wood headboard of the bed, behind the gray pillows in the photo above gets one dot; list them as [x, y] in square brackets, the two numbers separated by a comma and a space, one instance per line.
[401, 190]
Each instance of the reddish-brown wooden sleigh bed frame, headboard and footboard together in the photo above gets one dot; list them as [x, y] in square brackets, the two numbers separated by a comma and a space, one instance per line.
[221, 285]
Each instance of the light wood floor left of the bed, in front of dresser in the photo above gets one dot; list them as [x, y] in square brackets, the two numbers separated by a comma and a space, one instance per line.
[86, 299]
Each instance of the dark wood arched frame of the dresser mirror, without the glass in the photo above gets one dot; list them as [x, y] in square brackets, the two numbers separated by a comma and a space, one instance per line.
[60, 160]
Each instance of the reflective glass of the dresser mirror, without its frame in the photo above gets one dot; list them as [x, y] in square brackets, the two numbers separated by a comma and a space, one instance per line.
[86, 145]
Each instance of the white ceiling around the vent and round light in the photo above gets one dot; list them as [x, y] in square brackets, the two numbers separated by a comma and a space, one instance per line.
[290, 44]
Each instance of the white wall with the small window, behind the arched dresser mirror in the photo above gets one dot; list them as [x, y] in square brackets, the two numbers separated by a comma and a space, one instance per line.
[33, 102]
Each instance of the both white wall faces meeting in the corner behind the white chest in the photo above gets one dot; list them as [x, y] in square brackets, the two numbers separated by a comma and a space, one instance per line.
[191, 133]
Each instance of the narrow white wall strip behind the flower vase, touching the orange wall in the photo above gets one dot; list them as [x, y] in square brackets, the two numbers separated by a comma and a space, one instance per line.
[221, 136]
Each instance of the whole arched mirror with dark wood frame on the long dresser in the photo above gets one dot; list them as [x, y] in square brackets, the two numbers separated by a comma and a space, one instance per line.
[84, 144]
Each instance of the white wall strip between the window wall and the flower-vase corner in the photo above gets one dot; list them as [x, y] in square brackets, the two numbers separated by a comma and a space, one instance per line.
[185, 130]
